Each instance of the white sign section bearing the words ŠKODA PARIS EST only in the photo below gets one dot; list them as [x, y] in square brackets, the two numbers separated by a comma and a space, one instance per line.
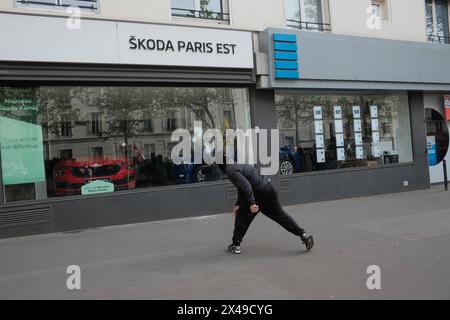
[184, 46]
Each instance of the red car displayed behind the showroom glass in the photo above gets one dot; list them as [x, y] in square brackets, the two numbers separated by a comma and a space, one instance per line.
[71, 175]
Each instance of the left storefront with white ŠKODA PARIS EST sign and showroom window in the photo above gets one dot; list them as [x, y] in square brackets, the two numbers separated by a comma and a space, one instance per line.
[86, 118]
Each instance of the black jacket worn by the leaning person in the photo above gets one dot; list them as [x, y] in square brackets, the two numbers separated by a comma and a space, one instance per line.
[247, 179]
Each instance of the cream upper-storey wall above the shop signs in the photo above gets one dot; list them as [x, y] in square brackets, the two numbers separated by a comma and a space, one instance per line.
[406, 20]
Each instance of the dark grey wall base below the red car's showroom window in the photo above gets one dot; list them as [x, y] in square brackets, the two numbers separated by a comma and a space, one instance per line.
[75, 213]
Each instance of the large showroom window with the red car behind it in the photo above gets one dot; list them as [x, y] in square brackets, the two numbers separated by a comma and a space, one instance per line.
[60, 141]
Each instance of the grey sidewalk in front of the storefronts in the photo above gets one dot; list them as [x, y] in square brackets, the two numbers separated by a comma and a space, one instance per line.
[407, 235]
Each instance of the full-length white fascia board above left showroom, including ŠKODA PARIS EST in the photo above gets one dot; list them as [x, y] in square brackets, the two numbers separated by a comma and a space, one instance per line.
[47, 39]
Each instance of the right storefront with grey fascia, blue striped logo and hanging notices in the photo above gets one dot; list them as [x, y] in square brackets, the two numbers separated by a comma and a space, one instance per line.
[350, 111]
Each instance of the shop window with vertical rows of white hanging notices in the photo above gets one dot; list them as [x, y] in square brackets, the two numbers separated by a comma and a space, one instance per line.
[322, 132]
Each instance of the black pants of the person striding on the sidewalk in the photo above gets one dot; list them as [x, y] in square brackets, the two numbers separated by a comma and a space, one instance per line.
[269, 205]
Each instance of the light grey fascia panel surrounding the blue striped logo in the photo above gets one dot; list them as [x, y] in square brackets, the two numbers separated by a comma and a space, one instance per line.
[348, 60]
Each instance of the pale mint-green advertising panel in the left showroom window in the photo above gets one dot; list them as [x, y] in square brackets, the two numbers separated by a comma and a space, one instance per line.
[22, 152]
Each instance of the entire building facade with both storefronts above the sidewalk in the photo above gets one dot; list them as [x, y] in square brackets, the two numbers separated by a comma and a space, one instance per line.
[227, 68]
